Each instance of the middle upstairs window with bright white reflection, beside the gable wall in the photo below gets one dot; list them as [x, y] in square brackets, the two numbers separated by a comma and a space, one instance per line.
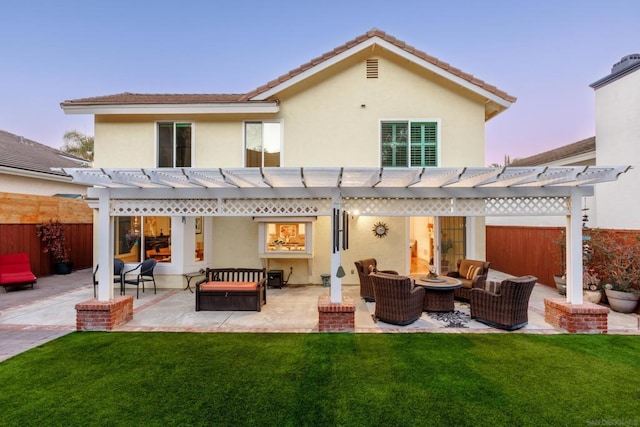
[262, 144]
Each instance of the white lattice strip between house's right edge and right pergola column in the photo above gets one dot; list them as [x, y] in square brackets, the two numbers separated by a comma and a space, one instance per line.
[528, 206]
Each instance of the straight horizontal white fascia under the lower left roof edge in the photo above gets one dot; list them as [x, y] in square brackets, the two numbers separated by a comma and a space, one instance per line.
[208, 108]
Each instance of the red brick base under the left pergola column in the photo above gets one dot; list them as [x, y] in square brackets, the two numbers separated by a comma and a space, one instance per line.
[94, 315]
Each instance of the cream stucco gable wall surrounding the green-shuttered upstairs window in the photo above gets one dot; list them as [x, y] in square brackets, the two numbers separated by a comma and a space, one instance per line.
[336, 121]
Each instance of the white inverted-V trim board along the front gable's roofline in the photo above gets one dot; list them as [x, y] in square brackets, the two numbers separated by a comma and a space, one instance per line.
[390, 47]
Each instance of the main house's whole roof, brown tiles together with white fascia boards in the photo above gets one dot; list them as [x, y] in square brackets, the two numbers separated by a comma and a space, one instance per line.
[265, 95]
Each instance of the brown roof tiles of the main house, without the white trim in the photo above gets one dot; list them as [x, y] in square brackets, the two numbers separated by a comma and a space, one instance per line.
[139, 98]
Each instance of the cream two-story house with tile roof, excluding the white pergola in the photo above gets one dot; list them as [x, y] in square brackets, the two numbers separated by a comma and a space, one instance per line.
[373, 102]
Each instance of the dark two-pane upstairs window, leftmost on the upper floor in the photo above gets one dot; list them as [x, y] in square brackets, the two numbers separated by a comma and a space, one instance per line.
[174, 145]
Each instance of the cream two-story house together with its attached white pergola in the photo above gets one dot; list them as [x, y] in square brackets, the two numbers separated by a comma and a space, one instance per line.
[374, 146]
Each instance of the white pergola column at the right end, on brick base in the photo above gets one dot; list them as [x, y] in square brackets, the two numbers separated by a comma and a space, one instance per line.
[574, 250]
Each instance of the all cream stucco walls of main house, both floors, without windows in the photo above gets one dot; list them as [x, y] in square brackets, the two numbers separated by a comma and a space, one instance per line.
[331, 119]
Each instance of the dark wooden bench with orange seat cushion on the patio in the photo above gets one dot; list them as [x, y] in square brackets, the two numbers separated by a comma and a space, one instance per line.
[232, 289]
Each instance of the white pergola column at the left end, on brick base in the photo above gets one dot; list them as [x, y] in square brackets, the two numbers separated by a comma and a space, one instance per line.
[105, 246]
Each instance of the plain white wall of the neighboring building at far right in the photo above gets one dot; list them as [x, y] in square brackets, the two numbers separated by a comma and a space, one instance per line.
[618, 143]
